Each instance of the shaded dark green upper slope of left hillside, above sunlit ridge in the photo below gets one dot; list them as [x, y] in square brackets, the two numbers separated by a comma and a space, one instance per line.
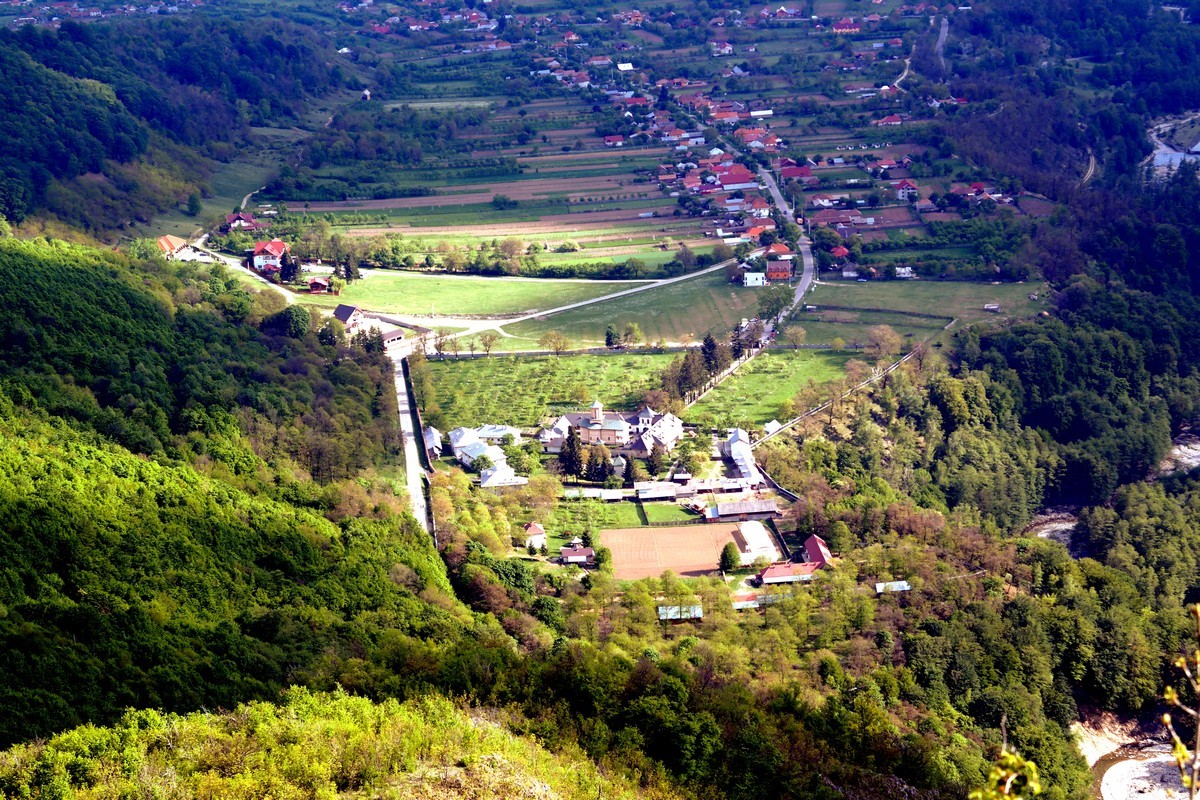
[184, 360]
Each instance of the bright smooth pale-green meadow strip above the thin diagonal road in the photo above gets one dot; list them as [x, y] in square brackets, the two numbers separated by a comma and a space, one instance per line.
[409, 293]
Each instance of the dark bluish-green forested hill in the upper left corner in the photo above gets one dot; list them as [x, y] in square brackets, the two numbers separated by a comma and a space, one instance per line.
[103, 131]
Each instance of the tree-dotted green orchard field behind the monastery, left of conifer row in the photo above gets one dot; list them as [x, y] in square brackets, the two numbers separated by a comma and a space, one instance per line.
[524, 392]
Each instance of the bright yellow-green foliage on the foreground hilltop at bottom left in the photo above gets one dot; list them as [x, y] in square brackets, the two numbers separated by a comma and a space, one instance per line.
[315, 745]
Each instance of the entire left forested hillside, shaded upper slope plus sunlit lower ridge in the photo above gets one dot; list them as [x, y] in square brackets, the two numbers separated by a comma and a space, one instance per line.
[178, 526]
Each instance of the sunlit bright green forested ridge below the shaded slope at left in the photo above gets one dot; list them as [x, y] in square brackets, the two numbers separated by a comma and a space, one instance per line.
[128, 582]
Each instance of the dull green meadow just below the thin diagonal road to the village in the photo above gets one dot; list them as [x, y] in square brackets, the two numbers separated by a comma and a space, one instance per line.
[689, 309]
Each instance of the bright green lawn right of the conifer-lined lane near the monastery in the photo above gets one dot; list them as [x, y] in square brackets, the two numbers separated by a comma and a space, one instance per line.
[757, 392]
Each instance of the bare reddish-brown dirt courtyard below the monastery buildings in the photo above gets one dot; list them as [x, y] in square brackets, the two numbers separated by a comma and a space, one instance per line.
[688, 551]
